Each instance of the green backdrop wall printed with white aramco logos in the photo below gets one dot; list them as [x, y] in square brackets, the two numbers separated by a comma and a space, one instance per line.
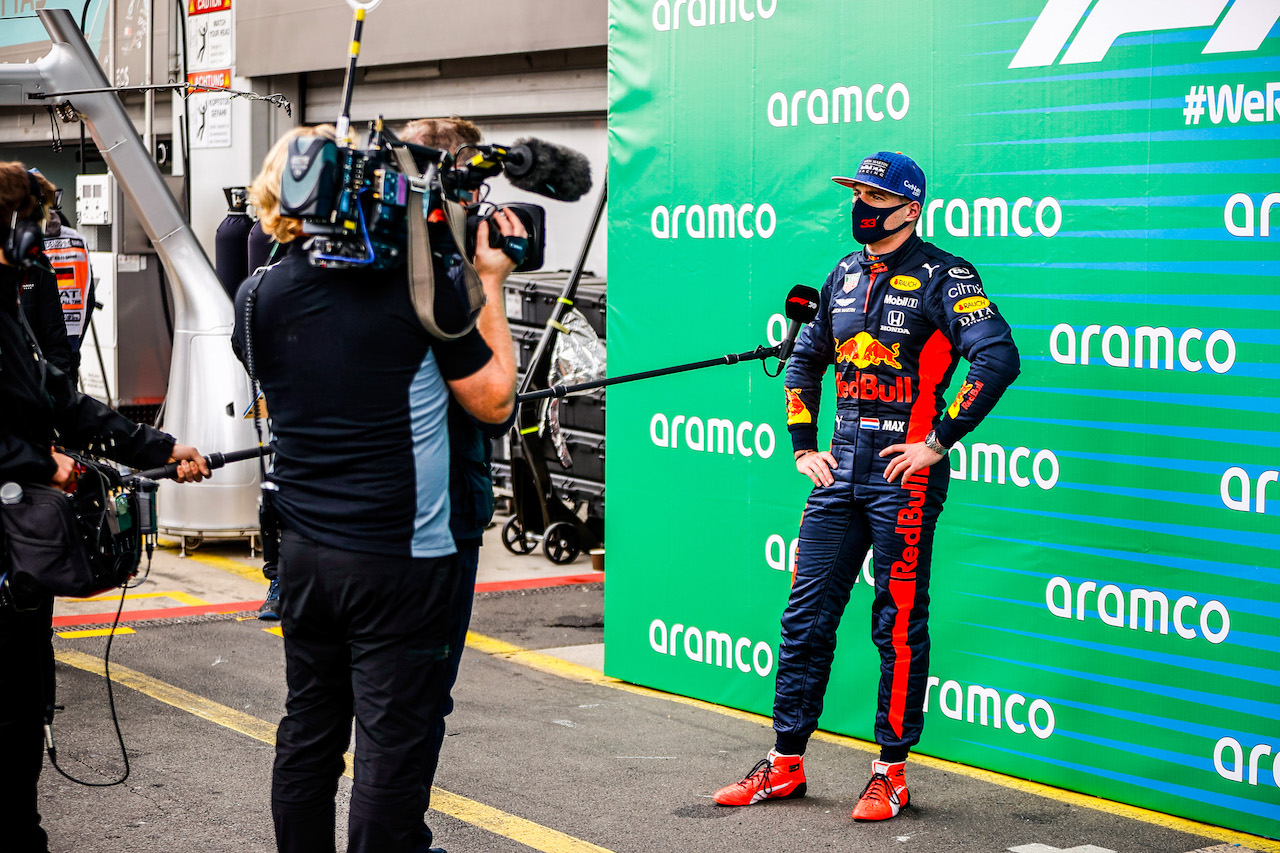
[1107, 581]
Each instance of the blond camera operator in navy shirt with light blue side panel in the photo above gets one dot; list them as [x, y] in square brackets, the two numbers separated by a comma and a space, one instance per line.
[358, 394]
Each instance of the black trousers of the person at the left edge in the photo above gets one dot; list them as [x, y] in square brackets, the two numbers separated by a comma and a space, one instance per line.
[26, 692]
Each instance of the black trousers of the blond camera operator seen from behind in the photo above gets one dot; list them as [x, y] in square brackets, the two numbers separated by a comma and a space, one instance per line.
[365, 637]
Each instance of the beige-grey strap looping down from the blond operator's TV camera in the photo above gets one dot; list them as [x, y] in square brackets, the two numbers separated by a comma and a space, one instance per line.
[422, 270]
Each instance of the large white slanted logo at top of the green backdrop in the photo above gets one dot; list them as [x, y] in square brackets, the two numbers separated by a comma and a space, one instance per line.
[1244, 28]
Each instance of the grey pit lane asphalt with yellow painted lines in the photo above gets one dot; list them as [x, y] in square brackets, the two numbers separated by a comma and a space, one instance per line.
[540, 755]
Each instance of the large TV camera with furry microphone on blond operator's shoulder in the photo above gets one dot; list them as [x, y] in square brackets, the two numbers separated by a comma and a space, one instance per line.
[386, 204]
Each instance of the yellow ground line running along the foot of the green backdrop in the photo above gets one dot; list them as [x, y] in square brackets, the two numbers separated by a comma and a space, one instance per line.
[578, 673]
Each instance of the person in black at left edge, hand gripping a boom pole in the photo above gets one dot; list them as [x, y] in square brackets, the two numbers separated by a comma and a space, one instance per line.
[38, 409]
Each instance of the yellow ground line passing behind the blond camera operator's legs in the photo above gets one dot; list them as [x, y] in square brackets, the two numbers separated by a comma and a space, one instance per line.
[493, 820]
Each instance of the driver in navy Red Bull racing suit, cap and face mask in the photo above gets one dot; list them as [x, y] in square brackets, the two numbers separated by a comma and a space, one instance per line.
[894, 321]
